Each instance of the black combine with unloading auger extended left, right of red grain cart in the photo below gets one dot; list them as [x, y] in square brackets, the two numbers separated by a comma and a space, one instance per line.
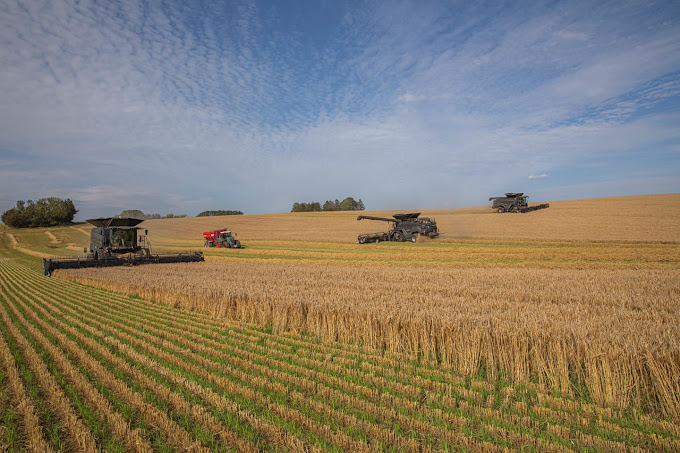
[403, 227]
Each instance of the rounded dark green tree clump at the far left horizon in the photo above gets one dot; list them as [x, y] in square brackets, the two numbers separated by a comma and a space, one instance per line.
[46, 212]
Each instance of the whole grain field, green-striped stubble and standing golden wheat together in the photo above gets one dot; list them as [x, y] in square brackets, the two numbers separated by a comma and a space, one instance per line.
[551, 342]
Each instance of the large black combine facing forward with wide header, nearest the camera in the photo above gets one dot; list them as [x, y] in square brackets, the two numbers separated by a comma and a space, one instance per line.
[115, 242]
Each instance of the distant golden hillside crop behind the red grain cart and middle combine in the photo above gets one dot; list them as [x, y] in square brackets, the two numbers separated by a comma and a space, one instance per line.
[640, 218]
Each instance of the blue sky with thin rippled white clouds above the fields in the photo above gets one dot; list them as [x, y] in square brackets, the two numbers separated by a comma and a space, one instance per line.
[181, 107]
